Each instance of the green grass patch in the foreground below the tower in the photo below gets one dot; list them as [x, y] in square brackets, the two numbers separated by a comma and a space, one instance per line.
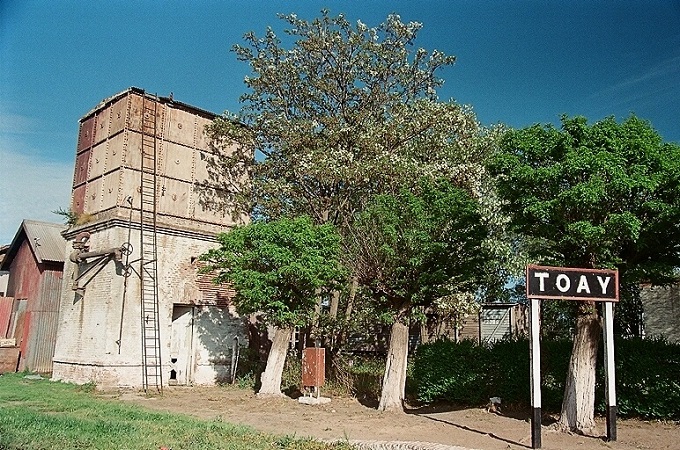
[40, 414]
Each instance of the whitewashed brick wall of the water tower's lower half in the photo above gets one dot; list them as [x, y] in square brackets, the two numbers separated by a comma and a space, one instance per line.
[99, 337]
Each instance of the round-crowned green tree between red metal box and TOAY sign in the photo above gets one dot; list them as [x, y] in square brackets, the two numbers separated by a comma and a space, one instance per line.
[409, 250]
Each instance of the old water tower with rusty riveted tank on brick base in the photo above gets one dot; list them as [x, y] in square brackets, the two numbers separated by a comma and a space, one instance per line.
[134, 309]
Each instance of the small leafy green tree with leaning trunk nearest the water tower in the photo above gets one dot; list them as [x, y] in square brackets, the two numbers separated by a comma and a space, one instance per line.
[278, 269]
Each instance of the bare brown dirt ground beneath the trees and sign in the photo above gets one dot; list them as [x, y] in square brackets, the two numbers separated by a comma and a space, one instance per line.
[348, 419]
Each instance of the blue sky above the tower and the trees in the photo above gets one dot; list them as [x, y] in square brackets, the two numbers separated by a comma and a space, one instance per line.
[519, 62]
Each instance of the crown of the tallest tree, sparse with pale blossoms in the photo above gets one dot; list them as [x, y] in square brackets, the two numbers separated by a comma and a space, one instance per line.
[347, 112]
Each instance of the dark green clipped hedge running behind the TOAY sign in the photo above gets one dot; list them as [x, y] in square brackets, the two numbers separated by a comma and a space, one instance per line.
[647, 373]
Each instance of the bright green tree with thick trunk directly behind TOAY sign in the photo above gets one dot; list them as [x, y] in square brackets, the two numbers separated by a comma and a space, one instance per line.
[605, 195]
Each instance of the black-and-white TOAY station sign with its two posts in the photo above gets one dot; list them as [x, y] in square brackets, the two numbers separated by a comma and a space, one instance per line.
[566, 283]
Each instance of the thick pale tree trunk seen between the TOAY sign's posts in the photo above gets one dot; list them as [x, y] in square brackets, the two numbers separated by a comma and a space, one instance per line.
[578, 404]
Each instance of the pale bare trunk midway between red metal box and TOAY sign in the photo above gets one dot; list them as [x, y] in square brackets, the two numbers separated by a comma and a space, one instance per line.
[394, 380]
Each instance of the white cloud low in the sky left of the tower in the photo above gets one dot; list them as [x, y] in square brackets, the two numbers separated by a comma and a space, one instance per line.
[31, 187]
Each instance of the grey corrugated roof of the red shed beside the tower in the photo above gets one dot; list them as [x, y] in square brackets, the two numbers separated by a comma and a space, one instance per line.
[44, 238]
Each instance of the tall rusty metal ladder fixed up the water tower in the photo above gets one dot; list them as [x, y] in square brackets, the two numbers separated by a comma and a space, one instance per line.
[151, 341]
